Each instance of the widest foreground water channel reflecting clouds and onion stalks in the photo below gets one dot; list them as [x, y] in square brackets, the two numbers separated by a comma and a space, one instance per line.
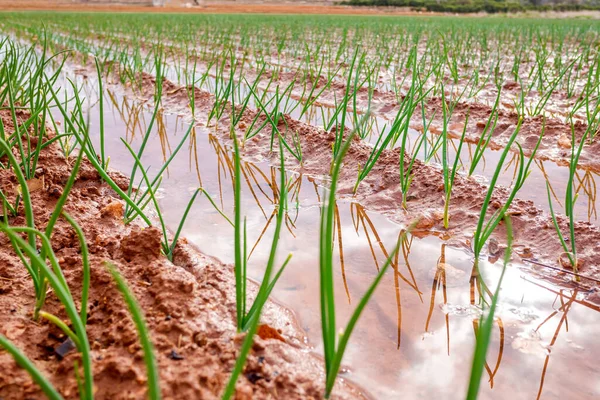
[416, 337]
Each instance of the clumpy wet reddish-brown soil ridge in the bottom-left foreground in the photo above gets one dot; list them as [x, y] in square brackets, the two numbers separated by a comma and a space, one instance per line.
[189, 306]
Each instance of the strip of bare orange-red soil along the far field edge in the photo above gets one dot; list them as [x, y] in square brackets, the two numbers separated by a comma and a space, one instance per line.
[208, 8]
